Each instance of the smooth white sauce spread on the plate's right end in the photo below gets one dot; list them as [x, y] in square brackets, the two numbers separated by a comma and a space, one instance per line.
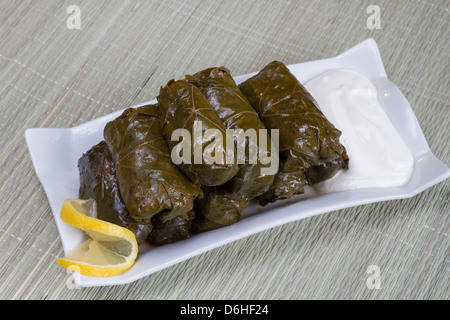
[378, 155]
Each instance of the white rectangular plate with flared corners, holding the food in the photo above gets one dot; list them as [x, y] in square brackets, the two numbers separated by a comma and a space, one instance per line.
[55, 154]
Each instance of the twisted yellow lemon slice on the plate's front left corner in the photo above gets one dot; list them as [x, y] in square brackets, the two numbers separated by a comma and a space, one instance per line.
[110, 249]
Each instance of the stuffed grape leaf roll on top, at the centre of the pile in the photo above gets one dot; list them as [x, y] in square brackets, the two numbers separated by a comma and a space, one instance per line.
[183, 106]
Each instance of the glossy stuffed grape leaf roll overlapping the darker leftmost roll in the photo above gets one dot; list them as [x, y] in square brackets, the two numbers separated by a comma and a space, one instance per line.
[149, 182]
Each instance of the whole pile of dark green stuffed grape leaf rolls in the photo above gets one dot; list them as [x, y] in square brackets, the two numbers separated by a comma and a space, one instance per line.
[136, 182]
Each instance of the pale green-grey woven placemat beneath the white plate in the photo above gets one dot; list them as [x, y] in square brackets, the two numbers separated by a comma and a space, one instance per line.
[53, 76]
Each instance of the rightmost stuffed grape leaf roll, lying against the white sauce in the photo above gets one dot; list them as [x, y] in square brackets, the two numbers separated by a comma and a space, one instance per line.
[309, 143]
